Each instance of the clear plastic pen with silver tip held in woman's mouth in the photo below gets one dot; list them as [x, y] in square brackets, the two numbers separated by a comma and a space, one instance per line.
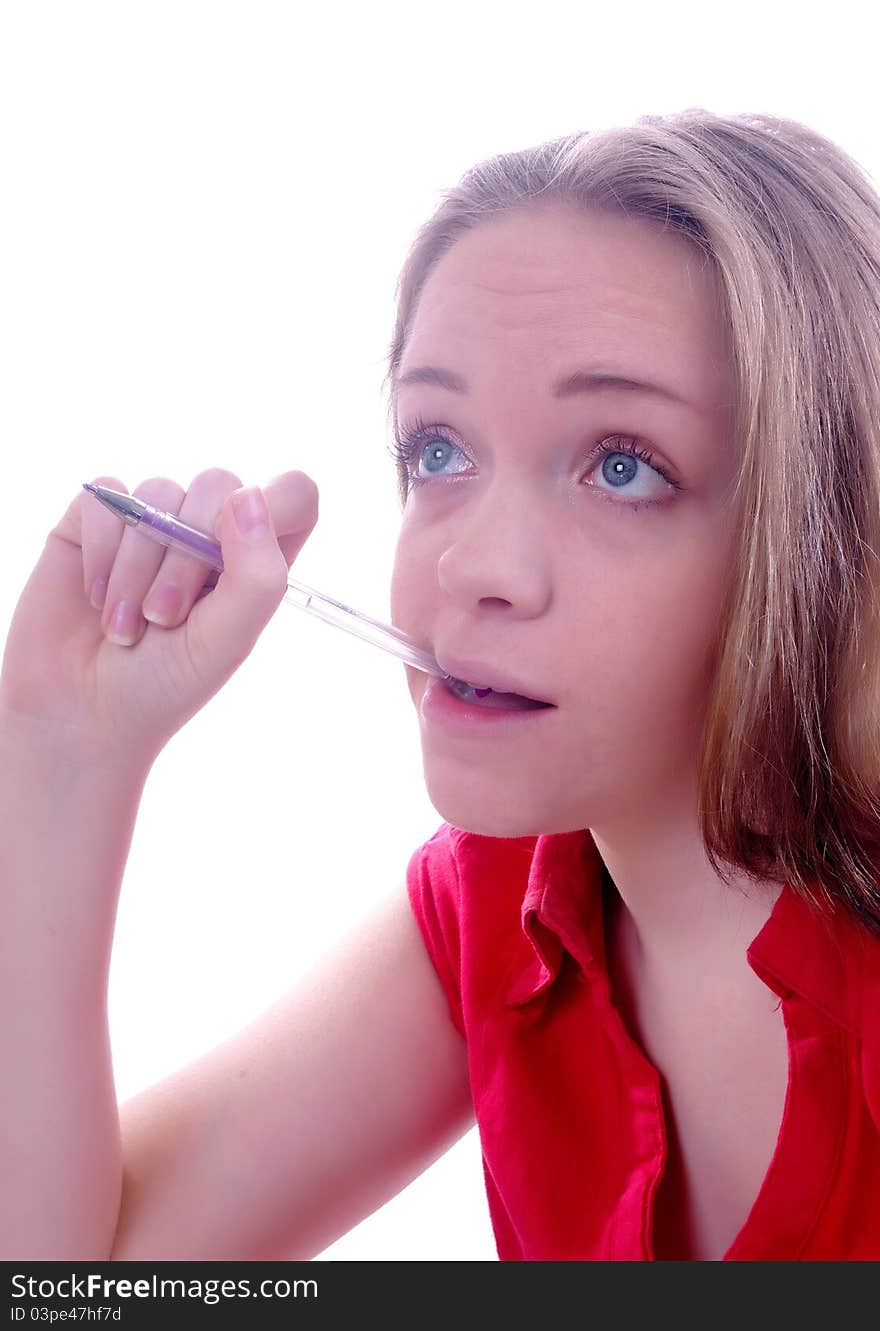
[171, 532]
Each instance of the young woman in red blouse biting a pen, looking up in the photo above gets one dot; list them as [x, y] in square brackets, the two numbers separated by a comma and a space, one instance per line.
[636, 391]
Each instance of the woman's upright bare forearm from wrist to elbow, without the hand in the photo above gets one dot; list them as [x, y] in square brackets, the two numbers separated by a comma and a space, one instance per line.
[66, 830]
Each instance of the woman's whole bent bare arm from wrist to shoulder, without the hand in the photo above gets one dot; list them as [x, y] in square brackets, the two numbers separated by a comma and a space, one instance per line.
[270, 1147]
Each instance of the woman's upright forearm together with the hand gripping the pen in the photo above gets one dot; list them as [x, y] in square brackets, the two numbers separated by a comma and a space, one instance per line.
[82, 721]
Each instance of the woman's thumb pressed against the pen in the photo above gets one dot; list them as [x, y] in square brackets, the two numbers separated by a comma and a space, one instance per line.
[251, 588]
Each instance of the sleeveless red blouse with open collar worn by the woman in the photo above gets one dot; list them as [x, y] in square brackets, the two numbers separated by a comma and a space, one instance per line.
[568, 1105]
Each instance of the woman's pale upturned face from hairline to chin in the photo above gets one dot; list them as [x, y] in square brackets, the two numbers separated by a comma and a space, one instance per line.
[524, 549]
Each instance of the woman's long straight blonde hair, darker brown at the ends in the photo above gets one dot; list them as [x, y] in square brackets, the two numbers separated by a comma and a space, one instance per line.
[790, 767]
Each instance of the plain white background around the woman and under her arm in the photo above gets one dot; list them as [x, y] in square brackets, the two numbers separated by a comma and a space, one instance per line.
[204, 211]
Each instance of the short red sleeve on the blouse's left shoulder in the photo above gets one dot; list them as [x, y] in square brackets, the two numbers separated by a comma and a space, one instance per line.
[435, 894]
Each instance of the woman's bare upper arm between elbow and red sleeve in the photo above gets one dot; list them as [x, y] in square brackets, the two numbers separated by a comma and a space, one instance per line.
[287, 1136]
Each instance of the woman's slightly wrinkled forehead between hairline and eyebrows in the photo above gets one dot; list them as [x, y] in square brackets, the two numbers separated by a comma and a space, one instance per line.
[549, 289]
